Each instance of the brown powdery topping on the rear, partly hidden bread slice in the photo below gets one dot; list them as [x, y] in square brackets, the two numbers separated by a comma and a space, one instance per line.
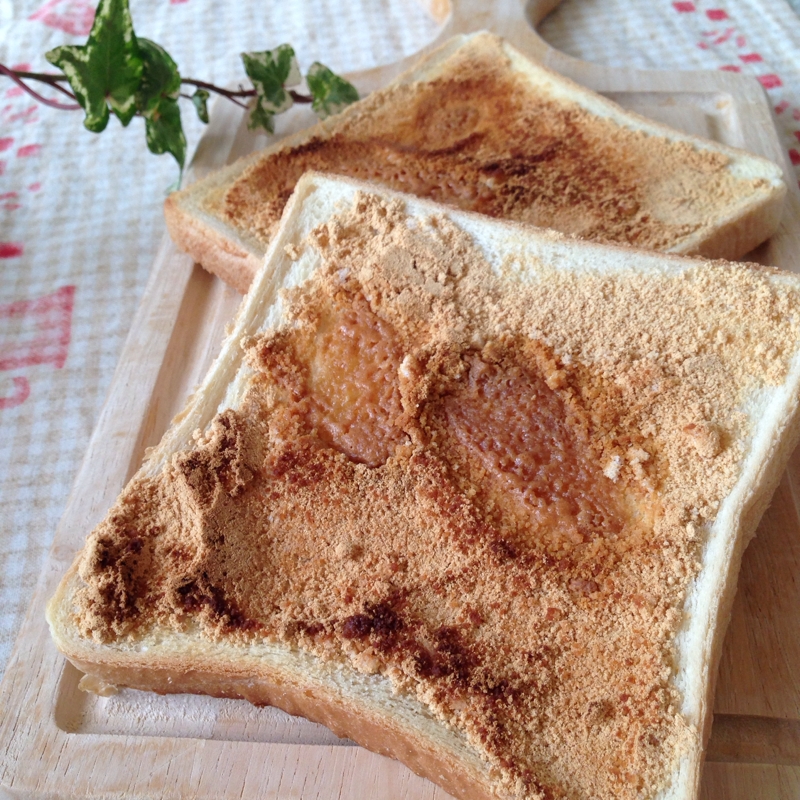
[483, 139]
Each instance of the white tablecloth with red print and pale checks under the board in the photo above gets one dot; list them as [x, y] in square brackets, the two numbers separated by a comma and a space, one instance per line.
[81, 214]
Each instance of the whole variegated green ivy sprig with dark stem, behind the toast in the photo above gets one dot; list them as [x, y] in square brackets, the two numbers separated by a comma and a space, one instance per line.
[116, 72]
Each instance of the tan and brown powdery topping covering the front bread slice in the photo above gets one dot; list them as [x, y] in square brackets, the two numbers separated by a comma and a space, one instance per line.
[489, 485]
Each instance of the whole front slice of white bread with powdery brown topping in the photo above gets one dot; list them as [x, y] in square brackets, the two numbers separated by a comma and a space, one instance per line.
[680, 378]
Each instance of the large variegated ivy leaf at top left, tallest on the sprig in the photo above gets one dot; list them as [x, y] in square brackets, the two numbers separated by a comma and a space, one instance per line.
[106, 70]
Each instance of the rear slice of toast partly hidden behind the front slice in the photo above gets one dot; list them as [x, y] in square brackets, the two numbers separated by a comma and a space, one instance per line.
[479, 126]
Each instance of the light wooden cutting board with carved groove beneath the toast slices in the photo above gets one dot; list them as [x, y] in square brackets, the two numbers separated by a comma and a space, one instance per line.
[56, 741]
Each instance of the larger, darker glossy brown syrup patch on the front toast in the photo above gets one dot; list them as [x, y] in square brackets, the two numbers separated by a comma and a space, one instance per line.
[534, 456]
